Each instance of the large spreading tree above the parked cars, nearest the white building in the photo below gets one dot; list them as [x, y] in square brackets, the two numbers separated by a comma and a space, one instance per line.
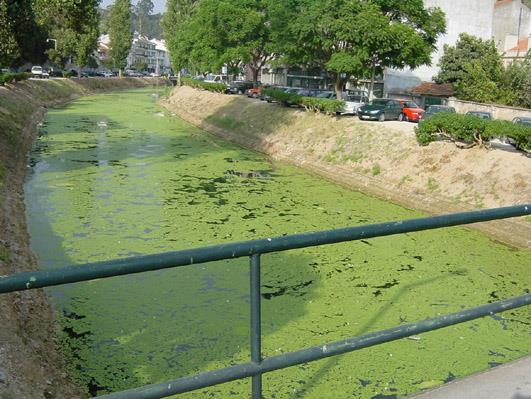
[358, 38]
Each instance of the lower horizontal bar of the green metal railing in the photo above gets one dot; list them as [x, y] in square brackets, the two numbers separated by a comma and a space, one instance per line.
[206, 379]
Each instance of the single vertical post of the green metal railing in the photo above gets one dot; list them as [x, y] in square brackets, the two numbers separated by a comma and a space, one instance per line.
[256, 324]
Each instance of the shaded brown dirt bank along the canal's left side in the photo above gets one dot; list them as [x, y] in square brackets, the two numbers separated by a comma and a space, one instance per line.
[30, 365]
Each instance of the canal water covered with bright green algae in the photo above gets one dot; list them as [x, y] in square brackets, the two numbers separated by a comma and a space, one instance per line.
[115, 175]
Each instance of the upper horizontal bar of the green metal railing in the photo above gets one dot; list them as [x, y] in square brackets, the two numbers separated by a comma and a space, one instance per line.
[91, 271]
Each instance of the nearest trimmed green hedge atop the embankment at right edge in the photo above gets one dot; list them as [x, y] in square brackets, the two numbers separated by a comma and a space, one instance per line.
[471, 130]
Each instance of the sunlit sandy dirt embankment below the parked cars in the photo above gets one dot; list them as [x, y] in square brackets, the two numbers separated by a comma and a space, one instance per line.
[383, 159]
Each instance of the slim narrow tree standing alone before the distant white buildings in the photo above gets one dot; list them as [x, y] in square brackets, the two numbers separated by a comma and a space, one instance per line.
[120, 36]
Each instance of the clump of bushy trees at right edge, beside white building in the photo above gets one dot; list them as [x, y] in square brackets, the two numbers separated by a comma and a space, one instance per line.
[476, 70]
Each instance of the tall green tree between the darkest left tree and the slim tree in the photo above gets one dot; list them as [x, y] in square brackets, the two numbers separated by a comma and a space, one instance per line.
[74, 25]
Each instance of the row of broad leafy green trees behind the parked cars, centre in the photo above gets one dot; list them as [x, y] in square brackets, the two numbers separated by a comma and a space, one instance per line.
[350, 39]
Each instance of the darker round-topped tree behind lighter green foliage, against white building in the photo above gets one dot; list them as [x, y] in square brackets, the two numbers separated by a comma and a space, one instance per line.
[467, 49]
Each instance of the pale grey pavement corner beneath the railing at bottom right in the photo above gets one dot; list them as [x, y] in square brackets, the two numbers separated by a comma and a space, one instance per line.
[508, 381]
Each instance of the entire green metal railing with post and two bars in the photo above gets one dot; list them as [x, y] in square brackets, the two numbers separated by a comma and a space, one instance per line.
[253, 249]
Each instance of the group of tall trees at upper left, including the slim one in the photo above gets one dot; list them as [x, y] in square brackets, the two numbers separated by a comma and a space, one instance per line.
[64, 31]
